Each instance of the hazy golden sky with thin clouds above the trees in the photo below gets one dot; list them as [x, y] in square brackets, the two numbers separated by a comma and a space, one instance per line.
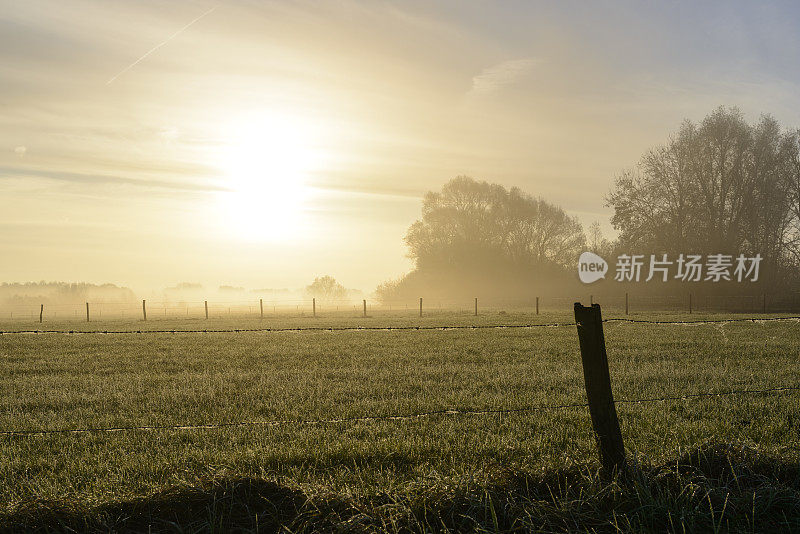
[262, 144]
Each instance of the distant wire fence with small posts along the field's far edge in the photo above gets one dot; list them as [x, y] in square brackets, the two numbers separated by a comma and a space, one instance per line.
[150, 310]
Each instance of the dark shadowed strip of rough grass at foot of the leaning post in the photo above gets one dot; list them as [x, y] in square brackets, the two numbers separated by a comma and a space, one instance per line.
[716, 488]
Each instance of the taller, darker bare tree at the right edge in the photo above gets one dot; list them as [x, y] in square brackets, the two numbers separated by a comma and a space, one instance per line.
[723, 186]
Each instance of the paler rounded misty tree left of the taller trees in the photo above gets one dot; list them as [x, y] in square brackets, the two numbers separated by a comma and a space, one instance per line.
[475, 236]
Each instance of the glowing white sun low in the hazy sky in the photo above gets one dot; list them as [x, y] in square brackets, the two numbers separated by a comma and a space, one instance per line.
[265, 161]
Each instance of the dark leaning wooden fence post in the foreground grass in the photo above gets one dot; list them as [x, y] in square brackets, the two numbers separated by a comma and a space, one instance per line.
[597, 378]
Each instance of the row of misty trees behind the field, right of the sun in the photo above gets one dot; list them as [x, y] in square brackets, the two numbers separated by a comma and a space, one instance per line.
[722, 186]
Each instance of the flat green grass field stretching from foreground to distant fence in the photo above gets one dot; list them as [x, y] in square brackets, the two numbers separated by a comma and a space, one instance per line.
[718, 463]
